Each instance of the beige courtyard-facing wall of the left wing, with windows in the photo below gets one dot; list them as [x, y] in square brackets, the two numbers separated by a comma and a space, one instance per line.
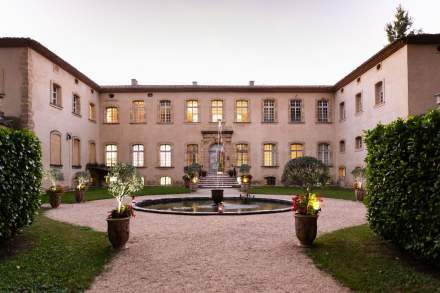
[48, 118]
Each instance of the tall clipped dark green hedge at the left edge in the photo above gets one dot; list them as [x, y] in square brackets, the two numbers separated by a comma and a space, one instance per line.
[20, 180]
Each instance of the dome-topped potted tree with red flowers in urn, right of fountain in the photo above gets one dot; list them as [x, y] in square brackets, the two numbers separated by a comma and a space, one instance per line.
[306, 172]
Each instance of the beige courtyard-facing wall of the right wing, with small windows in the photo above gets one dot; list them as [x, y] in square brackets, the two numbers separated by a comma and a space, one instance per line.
[394, 74]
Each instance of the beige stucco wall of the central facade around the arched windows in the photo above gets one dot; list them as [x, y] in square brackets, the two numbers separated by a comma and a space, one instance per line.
[181, 133]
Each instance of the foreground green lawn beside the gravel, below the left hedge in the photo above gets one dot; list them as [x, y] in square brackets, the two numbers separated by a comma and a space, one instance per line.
[53, 257]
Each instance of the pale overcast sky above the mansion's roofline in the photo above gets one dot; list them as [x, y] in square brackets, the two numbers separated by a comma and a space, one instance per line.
[212, 42]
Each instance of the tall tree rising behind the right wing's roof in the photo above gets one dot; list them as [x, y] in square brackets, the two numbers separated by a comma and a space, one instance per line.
[401, 26]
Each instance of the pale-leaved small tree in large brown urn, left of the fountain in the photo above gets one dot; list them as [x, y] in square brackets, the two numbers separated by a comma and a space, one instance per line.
[123, 181]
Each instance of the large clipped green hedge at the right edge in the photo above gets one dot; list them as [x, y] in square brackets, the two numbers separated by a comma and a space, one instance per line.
[403, 182]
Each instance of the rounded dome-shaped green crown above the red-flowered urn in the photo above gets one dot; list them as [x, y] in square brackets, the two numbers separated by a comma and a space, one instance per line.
[306, 172]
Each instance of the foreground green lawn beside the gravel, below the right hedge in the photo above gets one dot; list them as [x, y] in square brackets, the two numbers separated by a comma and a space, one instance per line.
[364, 262]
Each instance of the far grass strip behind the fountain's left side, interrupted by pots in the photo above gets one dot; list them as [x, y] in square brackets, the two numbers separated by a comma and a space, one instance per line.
[101, 193]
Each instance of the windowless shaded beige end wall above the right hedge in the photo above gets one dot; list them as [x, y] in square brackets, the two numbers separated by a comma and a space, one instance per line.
[423, 77]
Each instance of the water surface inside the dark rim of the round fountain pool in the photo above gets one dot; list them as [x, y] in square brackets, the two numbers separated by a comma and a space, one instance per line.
[204, 206]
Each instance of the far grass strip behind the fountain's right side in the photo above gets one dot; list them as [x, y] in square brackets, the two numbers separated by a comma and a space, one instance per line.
[328, 191]
